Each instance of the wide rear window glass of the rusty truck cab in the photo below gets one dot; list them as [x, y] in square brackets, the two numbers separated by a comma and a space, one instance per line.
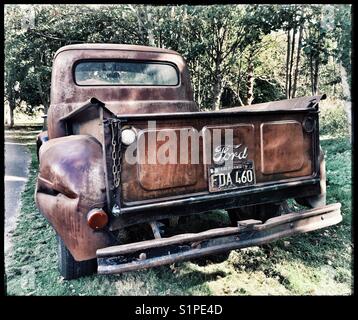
[109, 73]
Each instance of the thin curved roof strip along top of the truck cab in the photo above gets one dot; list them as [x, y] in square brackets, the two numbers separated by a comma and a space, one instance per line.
[113, 46]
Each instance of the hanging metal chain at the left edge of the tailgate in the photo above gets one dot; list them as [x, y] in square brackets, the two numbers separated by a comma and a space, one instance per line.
[116, 151]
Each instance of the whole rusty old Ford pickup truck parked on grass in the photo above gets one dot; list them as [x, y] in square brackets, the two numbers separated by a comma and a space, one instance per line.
[126, 144]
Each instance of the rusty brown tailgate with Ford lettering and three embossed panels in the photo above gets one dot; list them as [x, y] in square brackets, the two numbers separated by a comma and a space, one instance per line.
[275, 142]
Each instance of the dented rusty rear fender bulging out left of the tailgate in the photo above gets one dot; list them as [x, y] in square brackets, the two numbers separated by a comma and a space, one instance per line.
[70, 183]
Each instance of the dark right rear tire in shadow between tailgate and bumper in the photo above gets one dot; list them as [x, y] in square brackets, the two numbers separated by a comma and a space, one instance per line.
[261, 212]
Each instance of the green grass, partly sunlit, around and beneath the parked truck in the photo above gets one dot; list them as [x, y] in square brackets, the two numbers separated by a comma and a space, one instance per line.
[318, 263]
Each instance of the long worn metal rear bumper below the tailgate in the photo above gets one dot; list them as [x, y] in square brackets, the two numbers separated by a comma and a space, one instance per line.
[161, 251]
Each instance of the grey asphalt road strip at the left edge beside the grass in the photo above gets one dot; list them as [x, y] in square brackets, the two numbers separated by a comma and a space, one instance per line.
[17, 158]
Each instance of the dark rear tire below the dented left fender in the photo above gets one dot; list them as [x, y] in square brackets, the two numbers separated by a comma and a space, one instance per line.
[70, 268]
